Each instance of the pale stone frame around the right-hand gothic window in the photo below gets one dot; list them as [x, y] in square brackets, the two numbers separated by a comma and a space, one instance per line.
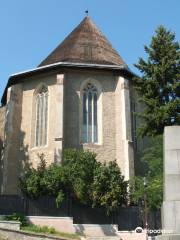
[98, 86]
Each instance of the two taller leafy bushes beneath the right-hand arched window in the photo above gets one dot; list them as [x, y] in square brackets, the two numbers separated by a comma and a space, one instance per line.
[94, 183]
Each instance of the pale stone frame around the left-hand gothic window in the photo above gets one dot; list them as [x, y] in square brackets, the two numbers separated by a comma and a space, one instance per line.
[34, 116]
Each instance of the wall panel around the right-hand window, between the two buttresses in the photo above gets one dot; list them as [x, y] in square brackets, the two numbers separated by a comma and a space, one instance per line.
[106, 151]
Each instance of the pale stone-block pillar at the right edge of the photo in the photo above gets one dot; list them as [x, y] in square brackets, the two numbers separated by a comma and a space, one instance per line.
[171, 204]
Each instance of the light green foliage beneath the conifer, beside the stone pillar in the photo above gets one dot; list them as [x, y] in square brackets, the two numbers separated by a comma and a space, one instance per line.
[153, 158]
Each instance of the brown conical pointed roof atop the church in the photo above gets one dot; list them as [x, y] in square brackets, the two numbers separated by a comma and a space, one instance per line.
[85, 44]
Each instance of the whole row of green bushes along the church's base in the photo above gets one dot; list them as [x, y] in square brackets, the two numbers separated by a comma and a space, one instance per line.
[81, 177]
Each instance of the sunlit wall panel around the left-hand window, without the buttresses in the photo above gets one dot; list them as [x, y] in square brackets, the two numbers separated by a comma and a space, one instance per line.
[29, 153]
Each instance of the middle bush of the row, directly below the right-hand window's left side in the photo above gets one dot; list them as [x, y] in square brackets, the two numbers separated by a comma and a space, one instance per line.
[79, 166]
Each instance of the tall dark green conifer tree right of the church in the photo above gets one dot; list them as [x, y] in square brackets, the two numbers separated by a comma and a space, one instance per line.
[159, 85]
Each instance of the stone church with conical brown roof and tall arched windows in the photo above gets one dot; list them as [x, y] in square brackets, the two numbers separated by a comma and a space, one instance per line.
[80, 96]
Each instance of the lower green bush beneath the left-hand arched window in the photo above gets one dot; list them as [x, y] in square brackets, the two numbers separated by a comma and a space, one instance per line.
[43, 180]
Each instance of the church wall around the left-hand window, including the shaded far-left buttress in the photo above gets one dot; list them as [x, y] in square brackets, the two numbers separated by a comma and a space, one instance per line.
[20, 151]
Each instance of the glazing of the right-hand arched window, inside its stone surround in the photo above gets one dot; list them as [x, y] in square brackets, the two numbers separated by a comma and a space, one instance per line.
[89, 105]
